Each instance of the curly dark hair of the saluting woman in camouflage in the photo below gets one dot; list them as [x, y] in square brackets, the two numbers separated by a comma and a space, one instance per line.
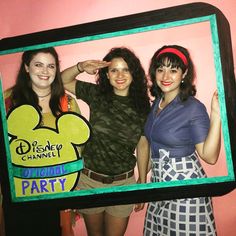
[138, 87]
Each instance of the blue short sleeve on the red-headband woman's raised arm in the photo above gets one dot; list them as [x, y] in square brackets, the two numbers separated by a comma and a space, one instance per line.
[199, 124]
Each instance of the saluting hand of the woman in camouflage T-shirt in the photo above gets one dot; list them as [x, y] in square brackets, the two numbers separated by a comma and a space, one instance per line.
[92, 66]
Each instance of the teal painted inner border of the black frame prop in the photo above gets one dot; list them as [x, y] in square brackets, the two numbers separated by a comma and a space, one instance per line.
[219, 77]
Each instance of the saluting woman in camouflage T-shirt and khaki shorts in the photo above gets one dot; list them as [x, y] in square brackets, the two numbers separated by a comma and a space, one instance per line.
[119, 105]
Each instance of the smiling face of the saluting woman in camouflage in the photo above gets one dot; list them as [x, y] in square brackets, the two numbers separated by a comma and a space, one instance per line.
[119, 76]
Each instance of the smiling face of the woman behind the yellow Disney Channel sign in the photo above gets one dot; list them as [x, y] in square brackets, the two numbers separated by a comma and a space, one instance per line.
[42, 71]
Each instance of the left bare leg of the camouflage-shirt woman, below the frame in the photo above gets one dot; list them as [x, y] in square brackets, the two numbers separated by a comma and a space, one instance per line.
[94, 224]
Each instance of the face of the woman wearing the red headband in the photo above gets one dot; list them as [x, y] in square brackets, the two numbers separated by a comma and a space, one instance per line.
[169, 79]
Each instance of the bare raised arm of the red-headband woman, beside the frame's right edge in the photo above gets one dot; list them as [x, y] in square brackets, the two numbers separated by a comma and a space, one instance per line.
[210, 149]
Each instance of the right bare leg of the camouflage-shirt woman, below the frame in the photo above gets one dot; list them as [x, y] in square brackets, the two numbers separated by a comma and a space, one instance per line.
[115, 226]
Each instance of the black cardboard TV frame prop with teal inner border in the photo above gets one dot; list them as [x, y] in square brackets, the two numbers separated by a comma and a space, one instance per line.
[132, 24]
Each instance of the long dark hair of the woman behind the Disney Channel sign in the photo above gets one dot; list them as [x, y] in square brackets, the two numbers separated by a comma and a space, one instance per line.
[22, 92]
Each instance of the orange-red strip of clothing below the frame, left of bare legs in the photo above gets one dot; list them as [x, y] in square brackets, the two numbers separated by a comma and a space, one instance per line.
[66, 224]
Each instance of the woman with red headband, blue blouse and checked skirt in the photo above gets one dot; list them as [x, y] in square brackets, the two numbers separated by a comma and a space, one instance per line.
[180, 132]
